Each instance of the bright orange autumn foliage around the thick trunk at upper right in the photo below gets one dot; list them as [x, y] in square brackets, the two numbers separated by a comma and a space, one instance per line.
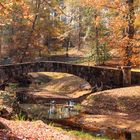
[120, 18]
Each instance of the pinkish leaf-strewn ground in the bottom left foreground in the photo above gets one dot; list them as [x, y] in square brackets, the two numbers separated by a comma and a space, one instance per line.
[36, 130]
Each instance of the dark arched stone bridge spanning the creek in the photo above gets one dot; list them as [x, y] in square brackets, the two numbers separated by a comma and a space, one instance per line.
[109, 77]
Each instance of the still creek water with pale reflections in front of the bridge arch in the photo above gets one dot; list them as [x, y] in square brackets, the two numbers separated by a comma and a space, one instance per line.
[51, 110]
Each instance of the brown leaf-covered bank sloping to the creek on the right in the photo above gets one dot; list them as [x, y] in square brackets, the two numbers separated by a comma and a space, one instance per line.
[111, 109]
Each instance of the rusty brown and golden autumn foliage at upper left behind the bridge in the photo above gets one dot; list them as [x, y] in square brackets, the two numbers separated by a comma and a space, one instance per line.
[27, 25]
